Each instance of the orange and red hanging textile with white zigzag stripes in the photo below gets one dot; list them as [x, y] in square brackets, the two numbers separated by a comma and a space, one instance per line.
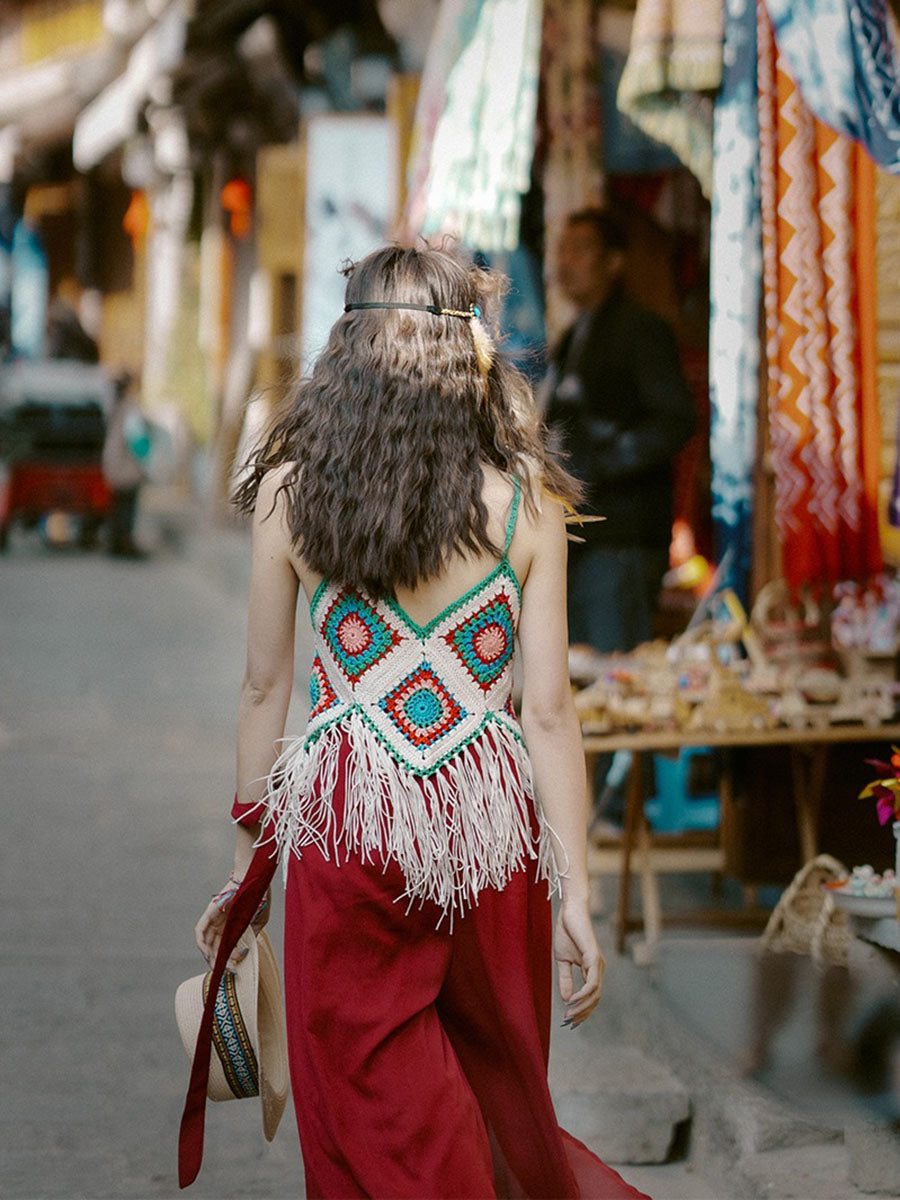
[819, 250]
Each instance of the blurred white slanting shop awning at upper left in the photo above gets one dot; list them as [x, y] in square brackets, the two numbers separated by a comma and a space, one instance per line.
[113, 116]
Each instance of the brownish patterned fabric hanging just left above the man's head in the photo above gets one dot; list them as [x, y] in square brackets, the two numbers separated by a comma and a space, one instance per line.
[573, 175]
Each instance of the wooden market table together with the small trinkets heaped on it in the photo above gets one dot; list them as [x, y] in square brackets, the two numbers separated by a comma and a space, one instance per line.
[790, 676]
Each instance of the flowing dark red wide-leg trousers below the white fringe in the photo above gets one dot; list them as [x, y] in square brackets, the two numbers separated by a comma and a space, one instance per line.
[418, 1055]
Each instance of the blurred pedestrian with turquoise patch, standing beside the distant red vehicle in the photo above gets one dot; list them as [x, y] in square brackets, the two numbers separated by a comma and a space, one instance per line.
[125, 453]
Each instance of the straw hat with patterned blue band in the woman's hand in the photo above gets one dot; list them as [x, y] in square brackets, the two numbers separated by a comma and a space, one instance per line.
[250, 1052]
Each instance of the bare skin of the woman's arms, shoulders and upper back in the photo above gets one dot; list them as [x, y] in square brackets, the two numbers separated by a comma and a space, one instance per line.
[550, 725]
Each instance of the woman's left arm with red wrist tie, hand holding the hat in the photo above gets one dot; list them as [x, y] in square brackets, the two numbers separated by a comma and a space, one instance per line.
[268, 679]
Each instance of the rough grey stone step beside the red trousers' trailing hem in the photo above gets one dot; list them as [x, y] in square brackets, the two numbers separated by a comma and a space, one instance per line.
[621, 1103]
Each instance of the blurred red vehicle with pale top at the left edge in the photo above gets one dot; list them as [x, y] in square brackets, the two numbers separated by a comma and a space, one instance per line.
[53, 419]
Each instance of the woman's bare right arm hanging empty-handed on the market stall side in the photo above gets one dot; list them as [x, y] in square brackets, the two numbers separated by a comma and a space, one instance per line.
[554, 737]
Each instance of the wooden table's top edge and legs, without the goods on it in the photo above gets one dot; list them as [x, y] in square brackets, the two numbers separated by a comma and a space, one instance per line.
[659, 854]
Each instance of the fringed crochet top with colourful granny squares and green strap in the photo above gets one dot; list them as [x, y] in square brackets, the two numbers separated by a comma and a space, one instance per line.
[436, 775]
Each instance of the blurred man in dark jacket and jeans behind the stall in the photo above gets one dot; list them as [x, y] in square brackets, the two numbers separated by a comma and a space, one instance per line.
[619, 405]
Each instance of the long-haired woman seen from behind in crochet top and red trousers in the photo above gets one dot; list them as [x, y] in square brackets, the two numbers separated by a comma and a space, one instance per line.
[409, 495]
